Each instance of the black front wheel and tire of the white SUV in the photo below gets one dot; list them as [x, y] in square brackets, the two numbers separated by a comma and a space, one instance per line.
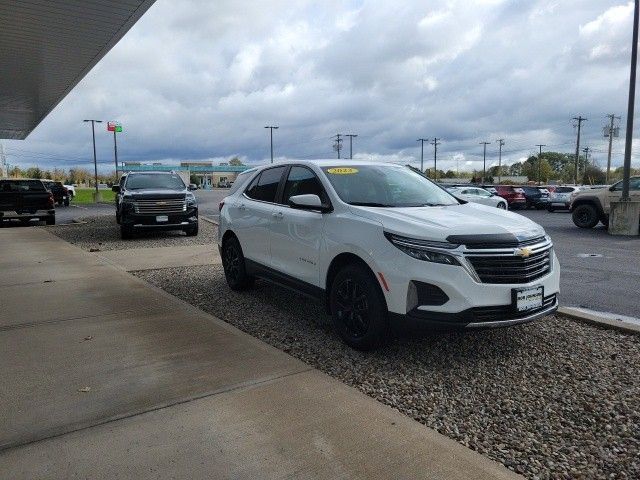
[358, 308]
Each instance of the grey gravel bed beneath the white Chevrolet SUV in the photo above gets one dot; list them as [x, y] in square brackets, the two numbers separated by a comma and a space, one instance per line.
[552, 399]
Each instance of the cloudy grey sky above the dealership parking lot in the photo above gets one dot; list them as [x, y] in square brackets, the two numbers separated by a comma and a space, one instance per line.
[199, 80]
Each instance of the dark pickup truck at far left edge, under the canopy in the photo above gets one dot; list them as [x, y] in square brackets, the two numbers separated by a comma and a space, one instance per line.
[25, 199]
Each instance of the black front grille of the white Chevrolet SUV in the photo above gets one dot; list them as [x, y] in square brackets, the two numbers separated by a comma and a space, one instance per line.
[511, 268]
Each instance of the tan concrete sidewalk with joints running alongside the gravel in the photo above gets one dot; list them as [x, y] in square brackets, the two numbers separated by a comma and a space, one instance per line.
[105, 376]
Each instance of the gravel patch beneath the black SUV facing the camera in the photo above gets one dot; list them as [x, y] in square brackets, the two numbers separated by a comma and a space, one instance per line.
[103, 233]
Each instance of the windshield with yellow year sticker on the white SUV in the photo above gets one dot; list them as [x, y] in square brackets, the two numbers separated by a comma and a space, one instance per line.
[385, 186]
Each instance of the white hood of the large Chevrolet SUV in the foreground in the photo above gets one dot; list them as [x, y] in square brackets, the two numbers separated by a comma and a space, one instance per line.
[437, 223]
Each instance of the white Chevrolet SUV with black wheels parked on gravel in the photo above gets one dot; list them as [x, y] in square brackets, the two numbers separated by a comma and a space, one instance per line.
[382, 246]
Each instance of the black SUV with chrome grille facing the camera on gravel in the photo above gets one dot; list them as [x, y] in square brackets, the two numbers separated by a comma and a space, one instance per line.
[155, 201]
